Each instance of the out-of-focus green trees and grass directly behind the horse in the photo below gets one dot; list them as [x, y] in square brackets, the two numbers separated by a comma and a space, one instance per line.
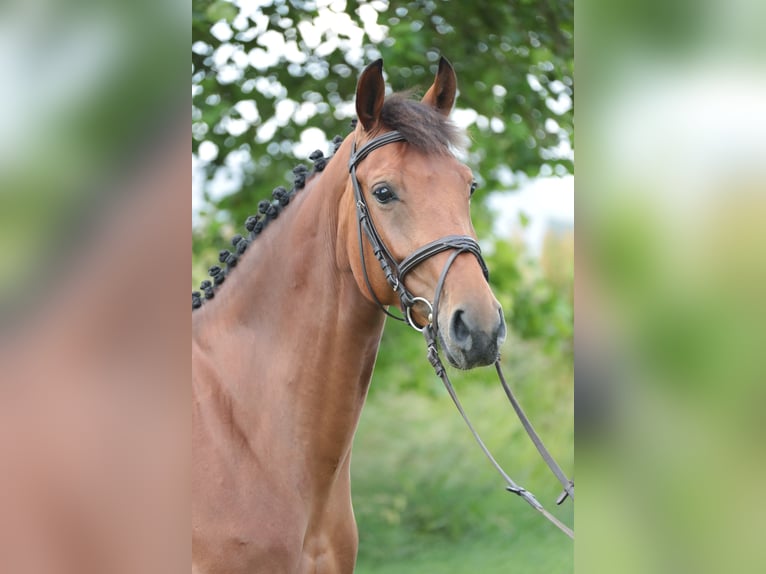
[271, 82]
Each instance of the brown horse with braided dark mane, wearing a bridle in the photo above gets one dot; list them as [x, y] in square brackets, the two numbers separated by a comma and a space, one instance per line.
[283, 353]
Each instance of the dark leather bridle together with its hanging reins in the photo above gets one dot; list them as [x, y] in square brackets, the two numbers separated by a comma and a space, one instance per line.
[395, 273]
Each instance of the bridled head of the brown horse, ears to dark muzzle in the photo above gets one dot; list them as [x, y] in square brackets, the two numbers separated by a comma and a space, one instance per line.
[412, 199]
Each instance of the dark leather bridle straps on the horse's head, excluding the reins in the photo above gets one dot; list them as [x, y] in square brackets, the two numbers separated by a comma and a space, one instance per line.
[394, 271]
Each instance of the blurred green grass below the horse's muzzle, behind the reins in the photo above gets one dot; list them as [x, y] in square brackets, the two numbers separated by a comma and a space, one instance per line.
[426, 499]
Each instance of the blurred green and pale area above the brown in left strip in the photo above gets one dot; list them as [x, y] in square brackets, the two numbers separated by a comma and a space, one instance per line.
[84, 105]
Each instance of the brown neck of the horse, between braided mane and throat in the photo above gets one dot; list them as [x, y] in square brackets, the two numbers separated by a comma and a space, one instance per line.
[294, 335]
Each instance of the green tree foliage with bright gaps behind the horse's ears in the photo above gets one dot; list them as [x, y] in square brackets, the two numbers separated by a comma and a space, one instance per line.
[514, 62]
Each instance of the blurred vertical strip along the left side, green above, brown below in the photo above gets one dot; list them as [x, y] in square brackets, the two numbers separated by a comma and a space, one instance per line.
[94, 212]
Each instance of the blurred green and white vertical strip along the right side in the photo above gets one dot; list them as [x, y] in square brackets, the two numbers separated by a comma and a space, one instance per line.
[670, 280]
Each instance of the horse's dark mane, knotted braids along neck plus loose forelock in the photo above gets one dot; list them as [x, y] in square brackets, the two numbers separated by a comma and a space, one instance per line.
[423, 127]
